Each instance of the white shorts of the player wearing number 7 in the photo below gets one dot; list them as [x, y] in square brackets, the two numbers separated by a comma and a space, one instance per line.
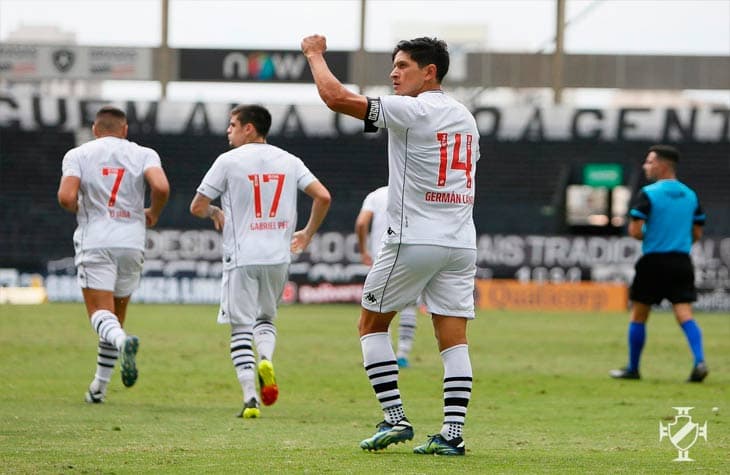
[116, 270]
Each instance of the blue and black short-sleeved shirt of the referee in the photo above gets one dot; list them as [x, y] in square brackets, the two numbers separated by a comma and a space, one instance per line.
[670, 209]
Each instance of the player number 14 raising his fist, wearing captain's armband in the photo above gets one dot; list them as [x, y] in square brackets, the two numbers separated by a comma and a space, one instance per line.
[430, 243]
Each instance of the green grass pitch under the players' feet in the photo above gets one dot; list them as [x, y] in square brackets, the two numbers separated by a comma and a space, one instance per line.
[542, 400]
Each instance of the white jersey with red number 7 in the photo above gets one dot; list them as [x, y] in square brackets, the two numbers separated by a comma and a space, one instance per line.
[112, 192]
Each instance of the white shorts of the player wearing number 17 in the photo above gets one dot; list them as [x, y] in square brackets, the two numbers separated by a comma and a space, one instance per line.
[251, 293]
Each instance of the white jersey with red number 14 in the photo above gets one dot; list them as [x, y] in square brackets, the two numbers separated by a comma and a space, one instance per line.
[433, 148]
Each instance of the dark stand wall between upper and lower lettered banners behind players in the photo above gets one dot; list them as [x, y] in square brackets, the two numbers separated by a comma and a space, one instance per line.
[520, 184]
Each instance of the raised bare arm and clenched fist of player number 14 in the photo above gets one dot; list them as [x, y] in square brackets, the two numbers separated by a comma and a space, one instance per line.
[336, 96]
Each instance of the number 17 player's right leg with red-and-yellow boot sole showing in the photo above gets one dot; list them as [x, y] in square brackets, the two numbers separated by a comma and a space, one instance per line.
[272, 279]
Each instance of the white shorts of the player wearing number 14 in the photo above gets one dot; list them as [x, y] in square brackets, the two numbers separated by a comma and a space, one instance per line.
[442, 276]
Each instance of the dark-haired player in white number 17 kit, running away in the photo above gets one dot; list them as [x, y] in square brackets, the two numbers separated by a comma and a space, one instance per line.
[257, 184]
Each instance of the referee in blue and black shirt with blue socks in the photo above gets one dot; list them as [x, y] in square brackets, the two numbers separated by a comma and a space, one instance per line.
[667, 217]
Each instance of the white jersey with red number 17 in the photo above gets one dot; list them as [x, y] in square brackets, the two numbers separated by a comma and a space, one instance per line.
[258, 185]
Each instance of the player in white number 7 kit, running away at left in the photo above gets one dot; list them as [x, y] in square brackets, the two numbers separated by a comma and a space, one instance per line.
[103, 184]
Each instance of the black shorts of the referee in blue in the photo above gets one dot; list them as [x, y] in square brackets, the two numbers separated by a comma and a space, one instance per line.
[664, 276]
